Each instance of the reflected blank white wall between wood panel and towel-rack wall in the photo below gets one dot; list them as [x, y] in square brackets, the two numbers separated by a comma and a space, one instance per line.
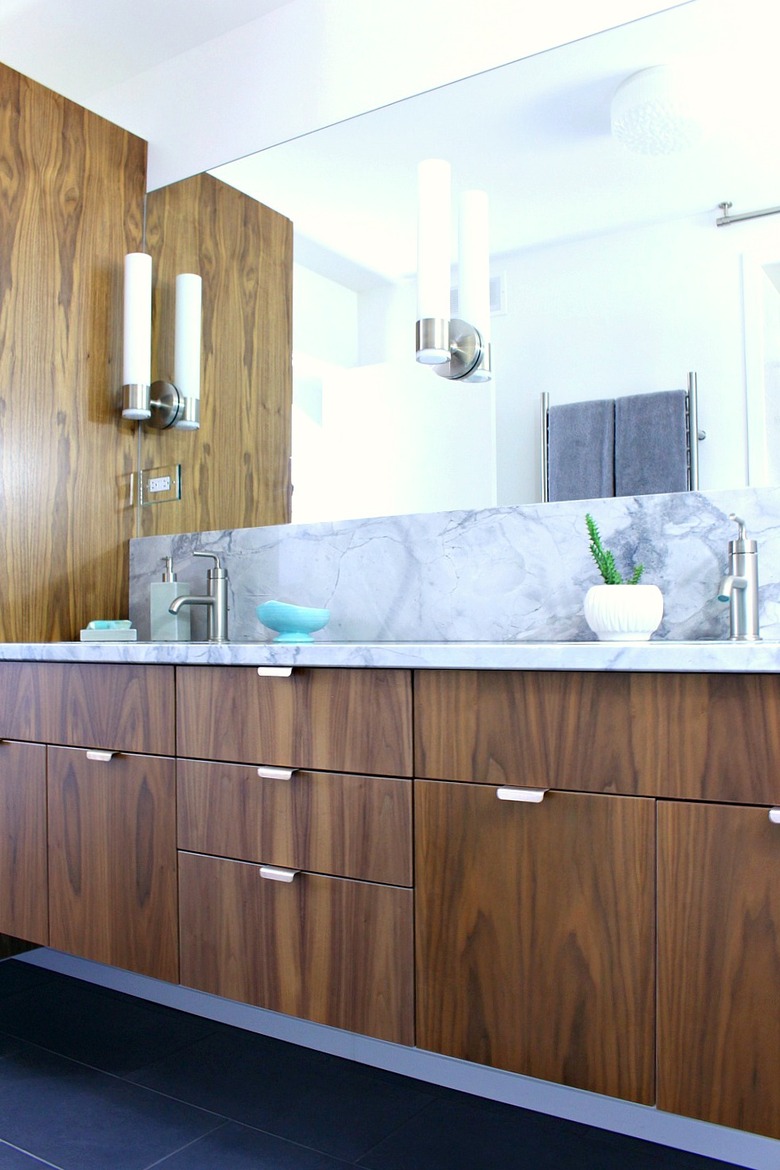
[375, 433]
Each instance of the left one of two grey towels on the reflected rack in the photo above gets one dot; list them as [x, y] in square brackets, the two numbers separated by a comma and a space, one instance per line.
[582, 451]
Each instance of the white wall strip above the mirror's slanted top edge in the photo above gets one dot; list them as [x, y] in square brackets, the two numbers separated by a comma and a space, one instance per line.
[314, 63]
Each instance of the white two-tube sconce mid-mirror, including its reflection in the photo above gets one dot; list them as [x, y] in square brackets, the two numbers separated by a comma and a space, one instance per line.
[457, 349]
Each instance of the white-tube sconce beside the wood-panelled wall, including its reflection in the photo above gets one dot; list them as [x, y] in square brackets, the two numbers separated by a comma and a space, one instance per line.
[162, 404]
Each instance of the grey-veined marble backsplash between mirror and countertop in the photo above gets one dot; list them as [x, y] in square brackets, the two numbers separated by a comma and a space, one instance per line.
[496, 575]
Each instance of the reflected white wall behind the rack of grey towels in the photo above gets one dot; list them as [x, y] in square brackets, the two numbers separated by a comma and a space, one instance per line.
[622, 314]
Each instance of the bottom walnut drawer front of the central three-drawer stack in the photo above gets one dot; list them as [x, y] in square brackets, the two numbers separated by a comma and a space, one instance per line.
[326, 949]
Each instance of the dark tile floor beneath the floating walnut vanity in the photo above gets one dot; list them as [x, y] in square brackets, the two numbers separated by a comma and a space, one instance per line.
[95, 1080]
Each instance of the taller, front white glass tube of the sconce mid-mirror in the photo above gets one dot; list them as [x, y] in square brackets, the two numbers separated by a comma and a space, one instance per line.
[434, 226]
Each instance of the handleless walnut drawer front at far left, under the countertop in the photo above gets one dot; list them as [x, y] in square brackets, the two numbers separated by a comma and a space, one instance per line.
[118, 707]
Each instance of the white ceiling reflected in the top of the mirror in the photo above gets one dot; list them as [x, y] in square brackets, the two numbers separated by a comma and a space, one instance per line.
[536, 136]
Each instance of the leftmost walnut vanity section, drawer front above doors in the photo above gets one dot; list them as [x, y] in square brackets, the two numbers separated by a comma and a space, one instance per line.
[109, 807]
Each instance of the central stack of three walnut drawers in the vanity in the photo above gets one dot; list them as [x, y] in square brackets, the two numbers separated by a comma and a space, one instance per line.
[295, 837]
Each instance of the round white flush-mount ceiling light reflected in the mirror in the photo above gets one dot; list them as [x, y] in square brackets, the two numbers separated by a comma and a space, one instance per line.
[660, 111]
